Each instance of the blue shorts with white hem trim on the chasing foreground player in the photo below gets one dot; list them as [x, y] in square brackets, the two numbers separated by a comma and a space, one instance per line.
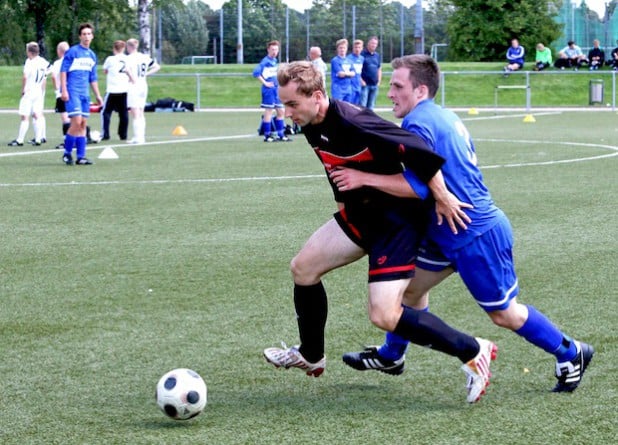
[485, 265]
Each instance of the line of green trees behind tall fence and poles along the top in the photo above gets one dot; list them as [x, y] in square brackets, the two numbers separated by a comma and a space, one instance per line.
[471, 30]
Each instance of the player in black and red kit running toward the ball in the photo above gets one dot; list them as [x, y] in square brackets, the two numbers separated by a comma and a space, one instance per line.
[369, 222]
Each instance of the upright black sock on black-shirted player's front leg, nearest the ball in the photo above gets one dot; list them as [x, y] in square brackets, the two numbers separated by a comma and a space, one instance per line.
[311, 311]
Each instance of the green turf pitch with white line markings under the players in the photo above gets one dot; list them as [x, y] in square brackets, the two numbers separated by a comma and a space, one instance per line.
[177, 254]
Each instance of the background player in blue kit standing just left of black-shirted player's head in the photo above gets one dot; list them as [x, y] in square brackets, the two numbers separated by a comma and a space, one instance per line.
[266, 73]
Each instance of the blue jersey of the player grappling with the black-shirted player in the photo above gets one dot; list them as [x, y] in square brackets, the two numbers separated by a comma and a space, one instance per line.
[462, 176]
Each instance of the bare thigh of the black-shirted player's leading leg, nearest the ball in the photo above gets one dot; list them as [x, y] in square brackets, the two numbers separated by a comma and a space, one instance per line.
[327, 249]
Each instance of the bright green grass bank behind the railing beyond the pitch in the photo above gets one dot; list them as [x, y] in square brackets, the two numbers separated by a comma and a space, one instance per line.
[467, 85]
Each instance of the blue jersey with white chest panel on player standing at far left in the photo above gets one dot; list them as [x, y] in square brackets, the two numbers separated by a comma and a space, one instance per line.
[80, 64]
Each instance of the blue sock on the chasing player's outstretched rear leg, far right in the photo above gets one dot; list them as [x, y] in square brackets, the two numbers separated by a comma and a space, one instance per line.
[541, 332]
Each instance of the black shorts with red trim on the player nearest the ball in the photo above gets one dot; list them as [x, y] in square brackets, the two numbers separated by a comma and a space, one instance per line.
[390, 238]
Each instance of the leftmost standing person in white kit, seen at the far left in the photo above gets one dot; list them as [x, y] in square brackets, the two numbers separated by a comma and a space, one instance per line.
[32, 96]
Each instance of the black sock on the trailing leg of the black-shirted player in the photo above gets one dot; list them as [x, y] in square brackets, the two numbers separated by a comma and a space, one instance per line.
[425, 329]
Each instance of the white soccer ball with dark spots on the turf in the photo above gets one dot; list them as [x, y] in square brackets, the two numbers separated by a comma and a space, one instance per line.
[181, 394]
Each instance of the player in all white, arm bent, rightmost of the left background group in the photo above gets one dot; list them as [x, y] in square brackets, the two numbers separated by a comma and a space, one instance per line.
[140, 66]
